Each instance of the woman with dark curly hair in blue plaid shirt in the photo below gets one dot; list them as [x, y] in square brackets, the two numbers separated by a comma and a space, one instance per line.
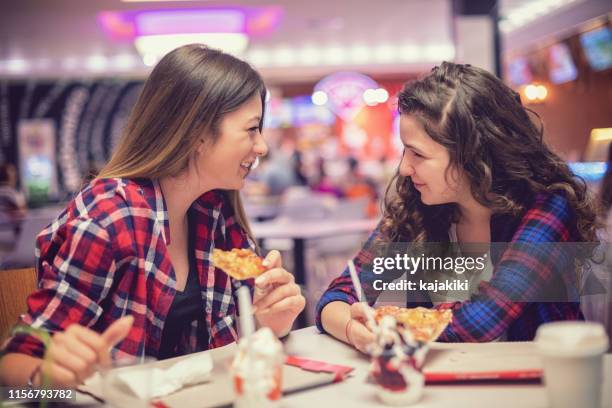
[476, 170]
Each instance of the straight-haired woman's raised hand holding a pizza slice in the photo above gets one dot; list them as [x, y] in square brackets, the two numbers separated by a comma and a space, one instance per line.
[277, 299]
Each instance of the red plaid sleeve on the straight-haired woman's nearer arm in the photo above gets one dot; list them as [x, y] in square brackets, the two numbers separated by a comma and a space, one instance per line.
[76, 268]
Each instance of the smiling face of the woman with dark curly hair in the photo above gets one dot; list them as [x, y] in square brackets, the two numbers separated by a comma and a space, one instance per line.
[426, 162]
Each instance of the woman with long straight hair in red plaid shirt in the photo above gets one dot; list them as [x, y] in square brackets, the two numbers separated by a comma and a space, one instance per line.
[126, 267]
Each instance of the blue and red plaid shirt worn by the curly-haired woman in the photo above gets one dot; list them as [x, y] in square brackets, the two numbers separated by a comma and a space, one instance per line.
[504, 305]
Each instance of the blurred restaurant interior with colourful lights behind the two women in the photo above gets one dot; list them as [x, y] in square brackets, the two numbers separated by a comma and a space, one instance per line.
[70, 71]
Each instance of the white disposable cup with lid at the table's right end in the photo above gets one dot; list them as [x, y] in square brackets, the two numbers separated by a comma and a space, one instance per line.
[572, 356]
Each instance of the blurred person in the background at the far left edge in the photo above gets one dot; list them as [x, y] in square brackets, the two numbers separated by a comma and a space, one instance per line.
[13, 205]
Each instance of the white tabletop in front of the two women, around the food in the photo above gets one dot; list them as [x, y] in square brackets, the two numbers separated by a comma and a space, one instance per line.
[355, 392]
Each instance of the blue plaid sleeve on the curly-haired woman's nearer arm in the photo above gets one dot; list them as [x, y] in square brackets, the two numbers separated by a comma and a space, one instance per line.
[523, 275]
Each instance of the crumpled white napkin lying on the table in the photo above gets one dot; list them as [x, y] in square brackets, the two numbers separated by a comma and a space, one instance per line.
[159, 382]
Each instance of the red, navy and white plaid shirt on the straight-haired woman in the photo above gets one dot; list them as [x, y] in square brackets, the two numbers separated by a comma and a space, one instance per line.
[105, 256]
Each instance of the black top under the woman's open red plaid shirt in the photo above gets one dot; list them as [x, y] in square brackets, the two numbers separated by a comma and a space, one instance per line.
[186, 308]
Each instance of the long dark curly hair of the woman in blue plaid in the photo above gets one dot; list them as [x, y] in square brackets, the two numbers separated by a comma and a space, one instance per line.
[490, 136]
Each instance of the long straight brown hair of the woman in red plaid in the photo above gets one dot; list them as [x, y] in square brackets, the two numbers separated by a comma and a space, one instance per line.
[183, 100]
